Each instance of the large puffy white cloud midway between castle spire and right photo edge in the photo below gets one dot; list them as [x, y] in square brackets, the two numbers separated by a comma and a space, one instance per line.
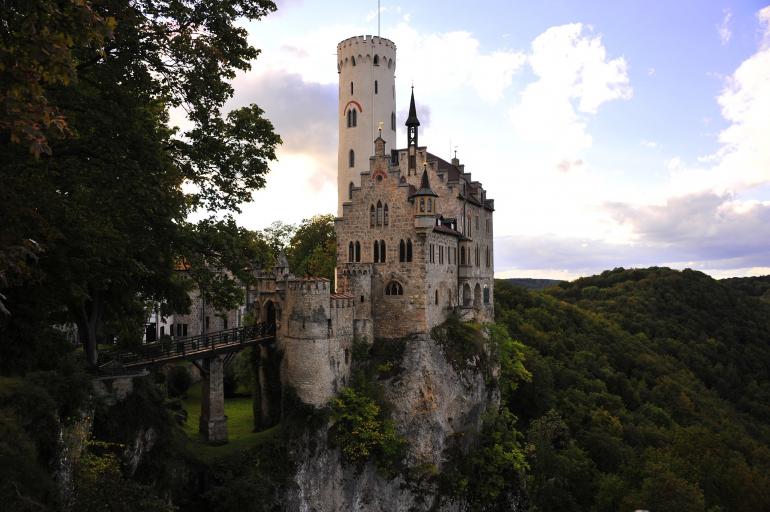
[575, 78]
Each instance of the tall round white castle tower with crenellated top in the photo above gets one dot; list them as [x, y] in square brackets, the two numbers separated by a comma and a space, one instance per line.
[367, 66]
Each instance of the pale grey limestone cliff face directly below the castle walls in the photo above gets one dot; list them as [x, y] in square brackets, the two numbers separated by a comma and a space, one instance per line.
[431, 402]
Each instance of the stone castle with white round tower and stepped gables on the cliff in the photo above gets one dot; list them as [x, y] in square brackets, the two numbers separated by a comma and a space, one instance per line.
[414, 245]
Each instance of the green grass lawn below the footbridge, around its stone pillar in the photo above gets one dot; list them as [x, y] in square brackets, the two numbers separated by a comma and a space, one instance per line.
[239, 426]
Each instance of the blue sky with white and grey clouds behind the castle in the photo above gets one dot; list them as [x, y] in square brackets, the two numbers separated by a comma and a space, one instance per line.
[630, 133]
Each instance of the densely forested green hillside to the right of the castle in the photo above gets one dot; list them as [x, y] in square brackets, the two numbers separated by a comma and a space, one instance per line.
[650, 389]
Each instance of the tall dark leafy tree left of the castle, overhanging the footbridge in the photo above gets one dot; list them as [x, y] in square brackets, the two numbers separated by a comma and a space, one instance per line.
[107, 207]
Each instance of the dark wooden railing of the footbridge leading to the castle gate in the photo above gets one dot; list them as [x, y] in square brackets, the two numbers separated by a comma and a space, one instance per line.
[172, 348]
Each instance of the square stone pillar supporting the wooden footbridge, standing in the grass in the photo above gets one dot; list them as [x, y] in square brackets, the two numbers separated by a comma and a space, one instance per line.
[213, 423]
